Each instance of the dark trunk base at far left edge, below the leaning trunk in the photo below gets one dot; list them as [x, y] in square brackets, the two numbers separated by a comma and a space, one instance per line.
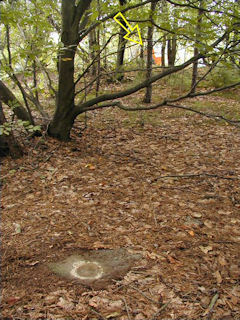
[8, 144]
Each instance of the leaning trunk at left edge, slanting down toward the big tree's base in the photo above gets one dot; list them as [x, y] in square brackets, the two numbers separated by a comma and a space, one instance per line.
[9, 99]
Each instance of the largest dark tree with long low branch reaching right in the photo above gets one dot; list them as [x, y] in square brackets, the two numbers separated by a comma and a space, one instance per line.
[66, 110]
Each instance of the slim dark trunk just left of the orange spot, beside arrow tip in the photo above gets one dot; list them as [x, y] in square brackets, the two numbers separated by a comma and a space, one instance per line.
[148, 94]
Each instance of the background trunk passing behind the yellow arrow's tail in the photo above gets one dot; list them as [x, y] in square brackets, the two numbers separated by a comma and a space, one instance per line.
[121, 48]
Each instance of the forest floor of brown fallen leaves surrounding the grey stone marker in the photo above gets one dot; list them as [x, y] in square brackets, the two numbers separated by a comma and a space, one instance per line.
[164, 184]
